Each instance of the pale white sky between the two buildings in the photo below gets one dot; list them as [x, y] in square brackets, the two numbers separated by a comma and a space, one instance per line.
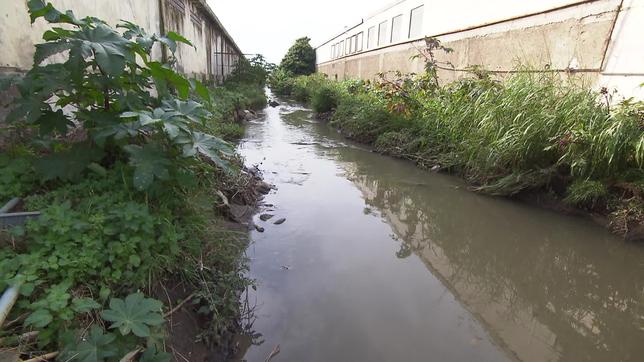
[271, 27]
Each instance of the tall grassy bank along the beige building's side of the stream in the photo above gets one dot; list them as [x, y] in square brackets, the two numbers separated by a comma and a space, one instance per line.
[532, 133]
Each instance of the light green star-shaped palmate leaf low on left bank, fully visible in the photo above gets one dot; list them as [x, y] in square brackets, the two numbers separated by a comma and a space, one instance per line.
[136, 314]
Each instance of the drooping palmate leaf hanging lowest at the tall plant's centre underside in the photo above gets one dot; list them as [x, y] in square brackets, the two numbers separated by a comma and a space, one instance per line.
[149, 162]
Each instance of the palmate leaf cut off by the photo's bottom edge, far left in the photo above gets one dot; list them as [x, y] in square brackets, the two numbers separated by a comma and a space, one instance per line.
[96, 347]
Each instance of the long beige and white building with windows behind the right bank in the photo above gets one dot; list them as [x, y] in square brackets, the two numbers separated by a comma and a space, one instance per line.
[602, 40]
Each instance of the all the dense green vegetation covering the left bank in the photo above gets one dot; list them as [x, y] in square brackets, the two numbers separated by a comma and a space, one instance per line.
[125, 158]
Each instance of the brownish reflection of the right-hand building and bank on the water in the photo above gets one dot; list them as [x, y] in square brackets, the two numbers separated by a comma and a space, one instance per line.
[548, 287]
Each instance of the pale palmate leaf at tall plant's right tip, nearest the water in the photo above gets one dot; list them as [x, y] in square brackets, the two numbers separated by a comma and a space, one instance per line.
[210, 146]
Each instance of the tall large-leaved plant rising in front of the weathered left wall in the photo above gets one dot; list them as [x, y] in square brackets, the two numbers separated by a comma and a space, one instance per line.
[105, 82]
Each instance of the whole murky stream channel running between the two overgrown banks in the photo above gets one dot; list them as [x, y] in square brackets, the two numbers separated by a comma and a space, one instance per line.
[381, 261]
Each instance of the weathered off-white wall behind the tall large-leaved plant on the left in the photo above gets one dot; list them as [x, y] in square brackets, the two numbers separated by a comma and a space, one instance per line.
[213, 59]
